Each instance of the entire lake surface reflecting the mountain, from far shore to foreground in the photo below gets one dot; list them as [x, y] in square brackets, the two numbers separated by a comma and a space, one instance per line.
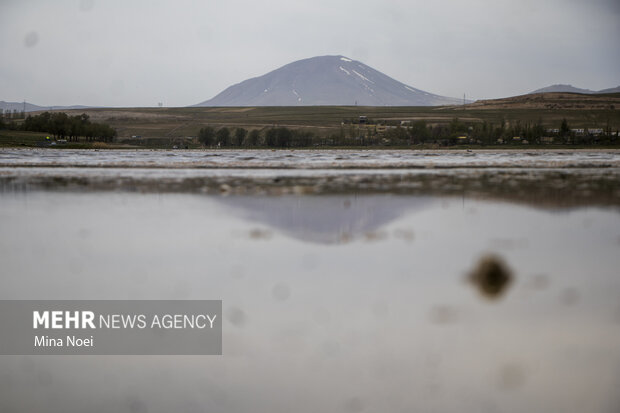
[346, 283]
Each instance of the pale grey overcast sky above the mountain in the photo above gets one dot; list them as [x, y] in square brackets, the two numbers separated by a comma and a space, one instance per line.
[181, 52]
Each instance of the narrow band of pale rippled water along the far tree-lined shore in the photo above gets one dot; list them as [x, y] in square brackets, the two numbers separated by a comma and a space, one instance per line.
[312, 159]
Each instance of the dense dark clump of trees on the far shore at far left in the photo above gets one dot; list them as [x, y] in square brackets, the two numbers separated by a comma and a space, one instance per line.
[72, 128]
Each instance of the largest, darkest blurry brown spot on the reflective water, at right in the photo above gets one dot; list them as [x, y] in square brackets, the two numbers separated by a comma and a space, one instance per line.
[491, 276]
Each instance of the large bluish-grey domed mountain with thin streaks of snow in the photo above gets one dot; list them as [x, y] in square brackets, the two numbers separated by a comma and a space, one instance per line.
[325, 80]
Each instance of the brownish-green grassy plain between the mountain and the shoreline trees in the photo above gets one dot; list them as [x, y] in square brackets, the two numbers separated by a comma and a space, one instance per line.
[154, 124]
